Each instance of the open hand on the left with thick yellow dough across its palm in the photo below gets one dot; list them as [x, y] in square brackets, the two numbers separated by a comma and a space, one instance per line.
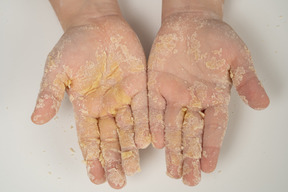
[101, 65]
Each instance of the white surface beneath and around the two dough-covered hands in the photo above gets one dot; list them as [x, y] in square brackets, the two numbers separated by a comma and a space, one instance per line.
[38, 158]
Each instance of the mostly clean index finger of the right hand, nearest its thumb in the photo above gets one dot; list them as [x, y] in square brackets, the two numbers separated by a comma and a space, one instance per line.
[215, 125]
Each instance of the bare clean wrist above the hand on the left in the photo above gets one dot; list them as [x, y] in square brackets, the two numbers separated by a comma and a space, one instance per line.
[80, 12]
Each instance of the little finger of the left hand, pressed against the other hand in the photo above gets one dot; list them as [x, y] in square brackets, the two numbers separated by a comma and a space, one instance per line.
[140, 114]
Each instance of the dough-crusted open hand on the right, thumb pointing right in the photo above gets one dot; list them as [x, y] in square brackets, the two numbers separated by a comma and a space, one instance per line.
[194, 59]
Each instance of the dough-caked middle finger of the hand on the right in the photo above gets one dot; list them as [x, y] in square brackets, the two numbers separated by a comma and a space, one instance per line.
[192, 147]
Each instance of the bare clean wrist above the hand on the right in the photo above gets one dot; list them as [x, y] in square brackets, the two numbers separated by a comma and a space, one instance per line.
[206, 8]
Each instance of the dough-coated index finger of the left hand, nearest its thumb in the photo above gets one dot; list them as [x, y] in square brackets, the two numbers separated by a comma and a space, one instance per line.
[89, 141]
